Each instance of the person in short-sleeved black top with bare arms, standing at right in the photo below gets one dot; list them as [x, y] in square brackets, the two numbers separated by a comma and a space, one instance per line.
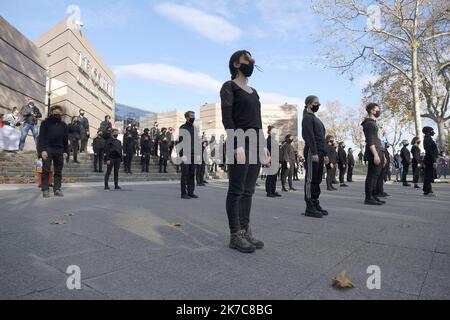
[373, 153]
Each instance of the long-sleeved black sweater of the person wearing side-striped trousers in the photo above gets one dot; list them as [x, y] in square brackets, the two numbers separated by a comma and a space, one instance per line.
[313, 132]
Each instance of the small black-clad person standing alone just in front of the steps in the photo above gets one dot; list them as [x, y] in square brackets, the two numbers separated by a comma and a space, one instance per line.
[113, 154]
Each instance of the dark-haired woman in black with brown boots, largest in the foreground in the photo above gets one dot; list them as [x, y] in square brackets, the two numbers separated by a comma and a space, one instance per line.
[241, 109]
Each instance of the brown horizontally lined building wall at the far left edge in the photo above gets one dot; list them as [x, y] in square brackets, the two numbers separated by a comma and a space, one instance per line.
[22, 72]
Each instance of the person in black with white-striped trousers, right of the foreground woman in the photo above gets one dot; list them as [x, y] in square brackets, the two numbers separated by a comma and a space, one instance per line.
[316, 155]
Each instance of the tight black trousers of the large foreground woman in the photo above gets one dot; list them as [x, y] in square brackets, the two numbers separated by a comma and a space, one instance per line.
[242, 183]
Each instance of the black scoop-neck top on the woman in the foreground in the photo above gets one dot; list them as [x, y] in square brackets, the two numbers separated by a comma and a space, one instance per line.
[240, 109]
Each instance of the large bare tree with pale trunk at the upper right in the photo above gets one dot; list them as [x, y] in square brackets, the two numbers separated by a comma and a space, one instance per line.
[366, 34]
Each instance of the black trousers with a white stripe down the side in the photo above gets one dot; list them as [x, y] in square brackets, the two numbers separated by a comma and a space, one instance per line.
[313, 178]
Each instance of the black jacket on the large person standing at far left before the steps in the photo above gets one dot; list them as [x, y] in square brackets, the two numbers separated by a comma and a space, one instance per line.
[53, 136]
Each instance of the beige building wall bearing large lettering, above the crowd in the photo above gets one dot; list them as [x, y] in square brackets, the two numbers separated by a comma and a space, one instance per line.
[73, 83]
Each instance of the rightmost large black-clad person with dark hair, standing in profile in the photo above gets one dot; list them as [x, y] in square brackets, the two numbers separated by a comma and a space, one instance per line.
[429, 161]
